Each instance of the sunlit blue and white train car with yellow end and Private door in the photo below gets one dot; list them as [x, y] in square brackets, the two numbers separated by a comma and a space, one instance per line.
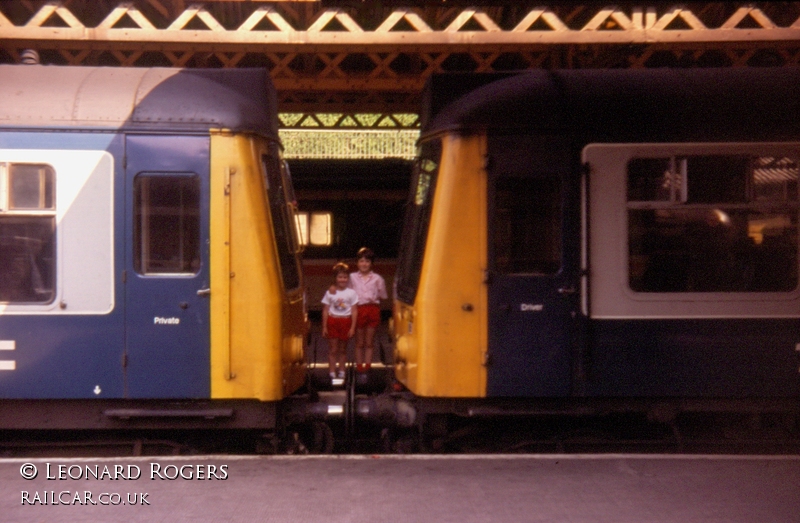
[147, 248]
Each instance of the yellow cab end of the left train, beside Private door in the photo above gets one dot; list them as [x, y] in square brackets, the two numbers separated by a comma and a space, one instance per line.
[258, 318]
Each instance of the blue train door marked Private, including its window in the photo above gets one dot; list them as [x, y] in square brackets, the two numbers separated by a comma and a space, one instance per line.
[167, 282]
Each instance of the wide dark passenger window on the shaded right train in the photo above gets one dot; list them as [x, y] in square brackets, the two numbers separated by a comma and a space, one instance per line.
[713, 223]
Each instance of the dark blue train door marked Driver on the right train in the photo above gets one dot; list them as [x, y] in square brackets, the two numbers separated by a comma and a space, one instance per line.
[532, 278]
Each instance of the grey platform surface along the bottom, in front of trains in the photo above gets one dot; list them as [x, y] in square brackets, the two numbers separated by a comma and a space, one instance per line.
[373, 489]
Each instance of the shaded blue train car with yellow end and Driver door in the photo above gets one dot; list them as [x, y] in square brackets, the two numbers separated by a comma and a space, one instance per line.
[610, 239]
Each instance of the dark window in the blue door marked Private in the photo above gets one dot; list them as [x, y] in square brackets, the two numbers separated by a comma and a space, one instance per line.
[167, 224]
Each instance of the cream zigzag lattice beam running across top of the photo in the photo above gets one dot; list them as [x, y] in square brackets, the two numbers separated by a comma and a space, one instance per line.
[609, 26]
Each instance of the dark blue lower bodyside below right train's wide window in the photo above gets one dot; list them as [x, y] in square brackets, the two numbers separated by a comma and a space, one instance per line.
[694, 358]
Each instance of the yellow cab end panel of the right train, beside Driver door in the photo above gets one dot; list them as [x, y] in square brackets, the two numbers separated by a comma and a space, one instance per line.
[441, 338]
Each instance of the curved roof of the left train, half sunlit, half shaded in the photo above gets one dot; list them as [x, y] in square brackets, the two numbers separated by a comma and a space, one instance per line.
[167, 99]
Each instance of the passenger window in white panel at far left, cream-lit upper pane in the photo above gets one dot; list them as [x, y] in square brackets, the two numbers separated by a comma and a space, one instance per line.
[27, 233]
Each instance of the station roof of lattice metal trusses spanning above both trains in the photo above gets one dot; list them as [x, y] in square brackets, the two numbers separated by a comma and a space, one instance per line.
[361, 64]
